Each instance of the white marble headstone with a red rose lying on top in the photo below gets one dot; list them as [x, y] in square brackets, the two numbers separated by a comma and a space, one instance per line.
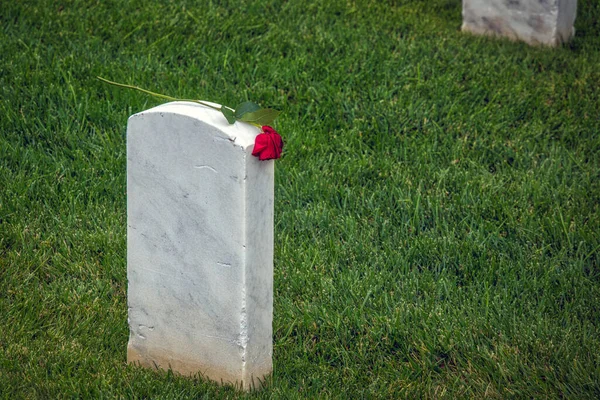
[199, 245]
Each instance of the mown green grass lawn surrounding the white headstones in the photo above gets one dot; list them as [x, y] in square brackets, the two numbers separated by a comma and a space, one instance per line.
[437, 206]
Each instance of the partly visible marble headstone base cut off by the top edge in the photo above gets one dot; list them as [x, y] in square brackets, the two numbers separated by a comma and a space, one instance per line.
[547, 22]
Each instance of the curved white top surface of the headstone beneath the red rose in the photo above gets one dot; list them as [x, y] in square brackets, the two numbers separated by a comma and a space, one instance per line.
[240, 133]
